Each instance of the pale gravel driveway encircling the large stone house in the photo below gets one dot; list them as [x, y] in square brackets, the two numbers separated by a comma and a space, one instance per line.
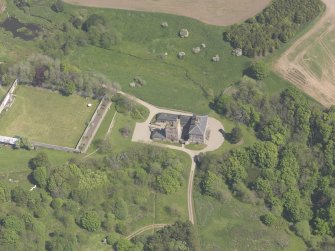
[142, 134]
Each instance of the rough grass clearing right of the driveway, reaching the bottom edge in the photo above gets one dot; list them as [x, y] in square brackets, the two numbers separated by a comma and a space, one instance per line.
[233, 225]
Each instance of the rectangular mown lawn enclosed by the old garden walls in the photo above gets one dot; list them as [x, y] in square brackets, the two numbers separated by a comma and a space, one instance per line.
[47, 117]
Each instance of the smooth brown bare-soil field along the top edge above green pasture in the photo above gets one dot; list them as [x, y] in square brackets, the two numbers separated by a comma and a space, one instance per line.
[216, 12]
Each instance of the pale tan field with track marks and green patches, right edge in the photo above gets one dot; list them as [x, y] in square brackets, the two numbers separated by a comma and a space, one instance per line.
[293, 63]
